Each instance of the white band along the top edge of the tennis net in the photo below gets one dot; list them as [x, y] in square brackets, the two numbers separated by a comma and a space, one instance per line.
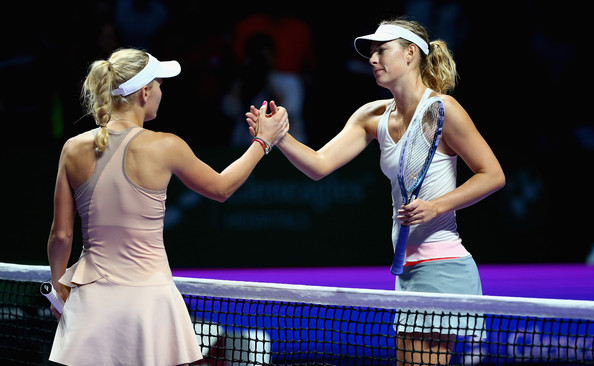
[323, 295]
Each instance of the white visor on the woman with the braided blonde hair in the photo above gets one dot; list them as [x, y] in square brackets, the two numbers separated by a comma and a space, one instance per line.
[153, 69]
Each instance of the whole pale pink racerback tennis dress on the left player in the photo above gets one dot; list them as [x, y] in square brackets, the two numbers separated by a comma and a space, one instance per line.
[123, 308]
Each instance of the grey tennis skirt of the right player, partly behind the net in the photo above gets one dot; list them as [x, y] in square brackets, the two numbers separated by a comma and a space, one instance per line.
[452, 276]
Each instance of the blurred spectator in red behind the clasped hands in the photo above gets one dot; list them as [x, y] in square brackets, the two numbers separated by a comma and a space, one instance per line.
[281, 61]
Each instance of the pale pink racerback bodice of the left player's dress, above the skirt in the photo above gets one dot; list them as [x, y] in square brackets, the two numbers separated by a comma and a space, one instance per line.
[122, 224]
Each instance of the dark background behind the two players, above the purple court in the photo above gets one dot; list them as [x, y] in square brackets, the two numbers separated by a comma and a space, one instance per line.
[524, 69]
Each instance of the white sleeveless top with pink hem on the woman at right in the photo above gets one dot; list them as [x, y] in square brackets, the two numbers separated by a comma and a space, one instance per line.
[437, 239]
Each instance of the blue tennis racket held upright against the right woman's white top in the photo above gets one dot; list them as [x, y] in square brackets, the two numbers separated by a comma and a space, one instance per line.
[416, 155]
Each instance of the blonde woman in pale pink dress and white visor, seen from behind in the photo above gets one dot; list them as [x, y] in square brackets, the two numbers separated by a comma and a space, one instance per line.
[121, 304]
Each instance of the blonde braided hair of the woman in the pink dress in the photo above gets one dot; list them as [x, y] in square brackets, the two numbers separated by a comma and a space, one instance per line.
[103, 77]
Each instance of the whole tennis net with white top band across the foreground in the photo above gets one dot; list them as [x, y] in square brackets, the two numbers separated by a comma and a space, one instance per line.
[249, 323]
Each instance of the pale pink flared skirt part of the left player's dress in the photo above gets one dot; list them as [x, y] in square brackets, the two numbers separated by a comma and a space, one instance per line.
[108, 324]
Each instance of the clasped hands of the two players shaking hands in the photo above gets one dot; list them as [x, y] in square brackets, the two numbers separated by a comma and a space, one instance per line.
[270, 127]
